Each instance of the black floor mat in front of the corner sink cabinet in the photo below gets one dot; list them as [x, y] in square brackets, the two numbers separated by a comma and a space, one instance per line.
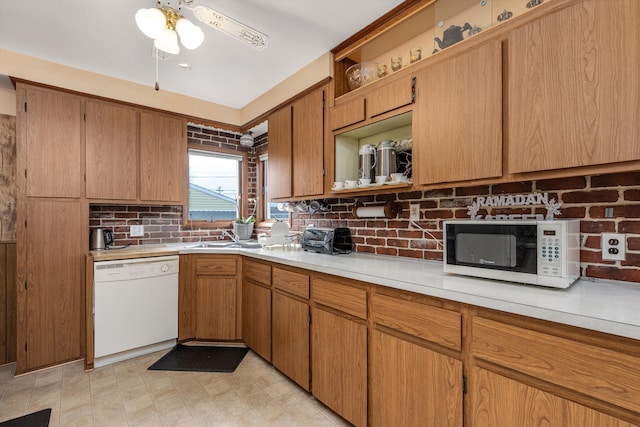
[201, 359]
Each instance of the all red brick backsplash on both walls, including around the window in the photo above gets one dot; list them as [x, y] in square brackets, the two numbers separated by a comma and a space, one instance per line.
[586, 198]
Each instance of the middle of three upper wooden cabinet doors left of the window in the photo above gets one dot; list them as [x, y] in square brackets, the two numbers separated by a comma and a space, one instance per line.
[111, 151]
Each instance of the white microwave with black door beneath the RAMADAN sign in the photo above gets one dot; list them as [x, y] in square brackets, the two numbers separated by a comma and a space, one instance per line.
[544, 253]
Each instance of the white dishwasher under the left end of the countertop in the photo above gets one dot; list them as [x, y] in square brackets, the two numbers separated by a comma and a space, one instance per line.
[135, 307]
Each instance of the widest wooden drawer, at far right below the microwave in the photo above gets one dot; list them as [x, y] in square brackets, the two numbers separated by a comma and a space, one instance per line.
[592, 370]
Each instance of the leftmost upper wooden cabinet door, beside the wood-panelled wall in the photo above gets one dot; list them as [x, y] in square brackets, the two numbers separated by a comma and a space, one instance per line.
[53, 144]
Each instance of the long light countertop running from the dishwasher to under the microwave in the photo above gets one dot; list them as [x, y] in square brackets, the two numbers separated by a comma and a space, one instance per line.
[602, 305]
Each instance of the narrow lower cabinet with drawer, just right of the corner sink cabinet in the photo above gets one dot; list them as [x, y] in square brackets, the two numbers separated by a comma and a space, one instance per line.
[256, 307]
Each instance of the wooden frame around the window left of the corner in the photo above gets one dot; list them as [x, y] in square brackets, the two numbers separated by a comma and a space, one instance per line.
[244, 185]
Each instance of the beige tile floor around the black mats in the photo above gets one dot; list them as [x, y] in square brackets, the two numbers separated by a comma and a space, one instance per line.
[127, 394]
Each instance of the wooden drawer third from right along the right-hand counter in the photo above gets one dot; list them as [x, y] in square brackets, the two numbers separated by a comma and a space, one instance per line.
[348, 299]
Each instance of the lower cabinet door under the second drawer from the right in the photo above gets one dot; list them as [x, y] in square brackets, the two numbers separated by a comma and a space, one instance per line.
[412, 385]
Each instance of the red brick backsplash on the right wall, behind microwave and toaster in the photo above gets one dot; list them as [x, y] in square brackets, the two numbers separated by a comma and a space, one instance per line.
[585, 198]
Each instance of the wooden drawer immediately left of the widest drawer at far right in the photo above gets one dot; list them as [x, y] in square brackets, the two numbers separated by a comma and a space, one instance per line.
[423, 321]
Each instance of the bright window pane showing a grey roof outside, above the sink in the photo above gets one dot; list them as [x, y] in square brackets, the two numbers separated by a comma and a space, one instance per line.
[216, 181]
